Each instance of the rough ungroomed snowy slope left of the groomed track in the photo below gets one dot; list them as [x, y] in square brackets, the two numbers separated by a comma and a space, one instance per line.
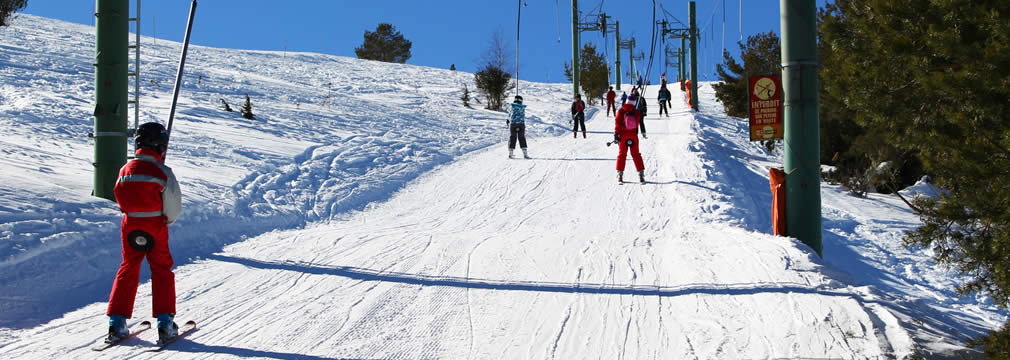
[332, 135]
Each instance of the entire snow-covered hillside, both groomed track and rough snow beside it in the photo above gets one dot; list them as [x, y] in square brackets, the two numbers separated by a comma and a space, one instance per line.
[368, 215]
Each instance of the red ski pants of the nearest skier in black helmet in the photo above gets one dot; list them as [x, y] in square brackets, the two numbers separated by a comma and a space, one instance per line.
[162, 279]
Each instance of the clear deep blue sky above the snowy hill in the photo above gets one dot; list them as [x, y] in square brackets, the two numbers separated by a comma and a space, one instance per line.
[444, 33]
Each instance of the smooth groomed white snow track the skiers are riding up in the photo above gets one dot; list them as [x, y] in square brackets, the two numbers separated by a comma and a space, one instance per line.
[490, 258]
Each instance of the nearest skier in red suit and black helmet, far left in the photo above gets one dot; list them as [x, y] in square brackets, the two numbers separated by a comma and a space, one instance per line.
[149, 196]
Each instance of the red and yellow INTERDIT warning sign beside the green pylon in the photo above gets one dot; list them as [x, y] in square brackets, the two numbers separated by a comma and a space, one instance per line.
[766, 108]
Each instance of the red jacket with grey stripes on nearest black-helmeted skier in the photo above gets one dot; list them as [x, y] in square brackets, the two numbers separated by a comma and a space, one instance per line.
[148, 189]
